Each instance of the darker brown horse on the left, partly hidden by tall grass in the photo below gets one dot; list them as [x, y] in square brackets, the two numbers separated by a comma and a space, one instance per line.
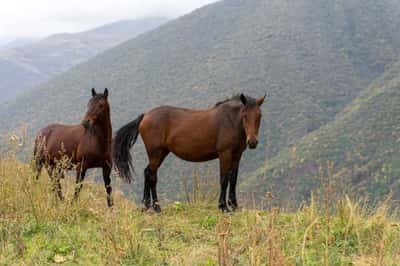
[80, 147]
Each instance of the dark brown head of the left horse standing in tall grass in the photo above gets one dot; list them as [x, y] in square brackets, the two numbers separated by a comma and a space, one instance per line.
[98, 107]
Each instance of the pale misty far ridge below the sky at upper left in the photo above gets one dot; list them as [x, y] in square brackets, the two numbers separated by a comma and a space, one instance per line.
[24, 66]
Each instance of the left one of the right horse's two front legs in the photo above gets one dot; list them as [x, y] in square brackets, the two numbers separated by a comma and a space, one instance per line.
[226, 171]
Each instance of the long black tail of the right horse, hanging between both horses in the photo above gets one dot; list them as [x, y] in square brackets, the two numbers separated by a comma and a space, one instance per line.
[123, 142]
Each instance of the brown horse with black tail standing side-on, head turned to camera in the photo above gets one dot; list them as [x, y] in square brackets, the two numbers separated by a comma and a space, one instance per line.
[221, 132]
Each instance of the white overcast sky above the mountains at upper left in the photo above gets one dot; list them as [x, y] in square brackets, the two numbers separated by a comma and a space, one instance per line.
[38, 18]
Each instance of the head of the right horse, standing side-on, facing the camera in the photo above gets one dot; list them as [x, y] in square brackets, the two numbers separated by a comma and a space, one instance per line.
[251, 118]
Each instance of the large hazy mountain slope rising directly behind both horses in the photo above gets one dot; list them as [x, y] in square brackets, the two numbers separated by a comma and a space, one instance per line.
[313, 58]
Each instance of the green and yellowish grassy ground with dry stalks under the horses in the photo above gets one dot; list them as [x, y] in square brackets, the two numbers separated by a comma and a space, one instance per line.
[35, 229]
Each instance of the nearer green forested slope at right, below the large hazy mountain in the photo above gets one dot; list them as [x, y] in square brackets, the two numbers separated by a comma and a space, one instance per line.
[362, 143]
